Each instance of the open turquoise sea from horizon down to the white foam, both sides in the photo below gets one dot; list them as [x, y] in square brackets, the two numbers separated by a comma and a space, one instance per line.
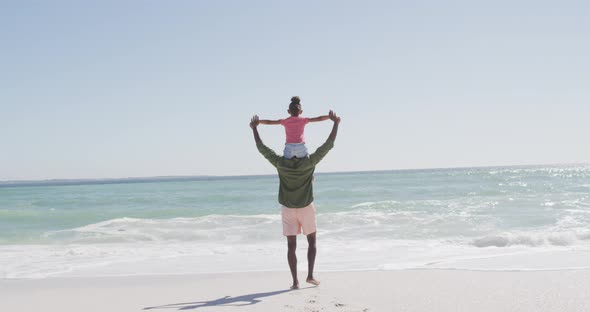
[516, 198]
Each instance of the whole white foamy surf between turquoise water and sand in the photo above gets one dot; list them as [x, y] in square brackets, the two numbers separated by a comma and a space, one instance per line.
[355, 240]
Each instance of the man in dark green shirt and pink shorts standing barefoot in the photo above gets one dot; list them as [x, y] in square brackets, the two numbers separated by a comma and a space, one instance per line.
[296, 196]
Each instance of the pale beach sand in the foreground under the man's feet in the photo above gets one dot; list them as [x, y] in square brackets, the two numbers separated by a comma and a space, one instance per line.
[403, 290]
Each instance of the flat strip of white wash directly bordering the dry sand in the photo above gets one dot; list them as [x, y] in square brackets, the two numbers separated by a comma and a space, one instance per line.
[72, 260]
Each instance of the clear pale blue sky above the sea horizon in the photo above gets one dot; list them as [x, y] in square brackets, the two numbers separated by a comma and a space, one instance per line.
[113, 89]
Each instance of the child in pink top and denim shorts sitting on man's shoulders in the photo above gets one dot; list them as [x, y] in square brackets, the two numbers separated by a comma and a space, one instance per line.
[294, 127]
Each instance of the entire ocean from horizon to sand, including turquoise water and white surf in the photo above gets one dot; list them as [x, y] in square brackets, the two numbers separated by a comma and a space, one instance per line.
[495, 218]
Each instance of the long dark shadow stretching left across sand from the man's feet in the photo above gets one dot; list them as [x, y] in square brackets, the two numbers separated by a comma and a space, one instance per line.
[238, 301]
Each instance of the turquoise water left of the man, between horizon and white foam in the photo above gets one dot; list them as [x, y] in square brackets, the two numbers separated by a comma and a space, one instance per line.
[26, 213]
